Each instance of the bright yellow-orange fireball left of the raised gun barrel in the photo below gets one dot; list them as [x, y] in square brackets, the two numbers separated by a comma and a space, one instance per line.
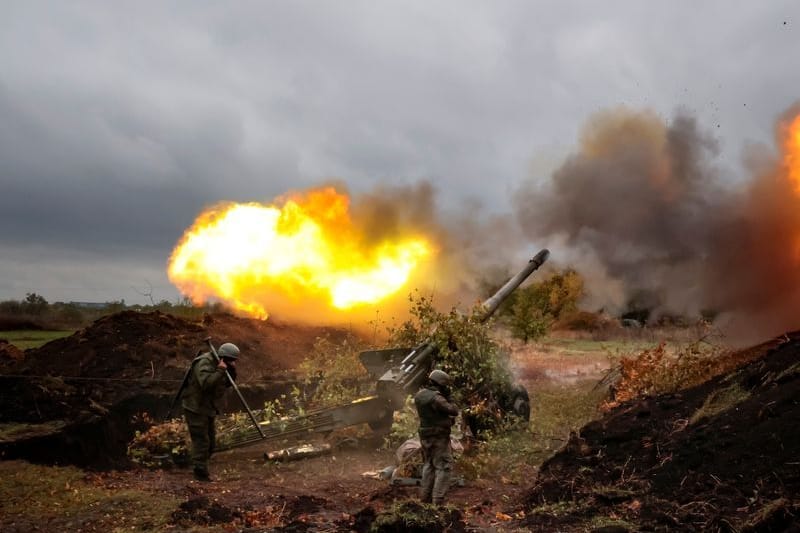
[308, 247]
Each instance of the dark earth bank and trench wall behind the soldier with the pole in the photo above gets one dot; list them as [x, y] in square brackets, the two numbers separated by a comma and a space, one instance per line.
[127, 363]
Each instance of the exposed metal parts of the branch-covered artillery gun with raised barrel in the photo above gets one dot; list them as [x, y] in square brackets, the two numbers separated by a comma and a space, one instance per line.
[399, 372]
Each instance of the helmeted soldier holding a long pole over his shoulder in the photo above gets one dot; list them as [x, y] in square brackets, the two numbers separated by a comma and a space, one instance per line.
[206, 385]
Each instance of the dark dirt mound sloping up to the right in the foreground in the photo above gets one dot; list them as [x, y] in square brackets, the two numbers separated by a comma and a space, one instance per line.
[722, 456]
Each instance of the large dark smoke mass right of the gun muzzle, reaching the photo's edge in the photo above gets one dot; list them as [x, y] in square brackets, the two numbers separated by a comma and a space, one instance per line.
[649, 218]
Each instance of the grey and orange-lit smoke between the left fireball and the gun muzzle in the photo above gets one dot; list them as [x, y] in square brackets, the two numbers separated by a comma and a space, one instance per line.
[472, 247]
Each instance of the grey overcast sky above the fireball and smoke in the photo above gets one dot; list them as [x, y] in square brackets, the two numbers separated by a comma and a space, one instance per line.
[120, 121]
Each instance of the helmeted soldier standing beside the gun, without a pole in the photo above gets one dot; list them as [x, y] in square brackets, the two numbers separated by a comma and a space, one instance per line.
[436, 417]
